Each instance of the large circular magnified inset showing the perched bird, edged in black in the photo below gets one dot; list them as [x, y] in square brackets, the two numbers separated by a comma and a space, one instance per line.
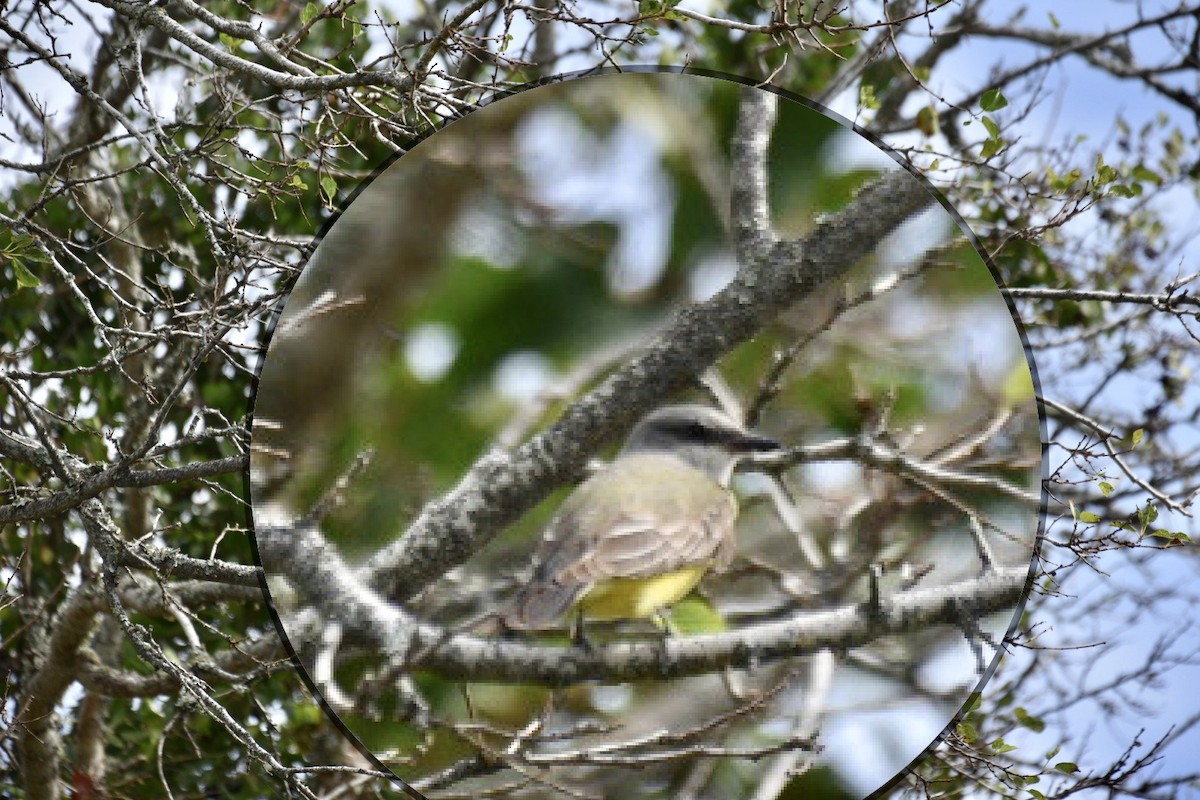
[646, 436]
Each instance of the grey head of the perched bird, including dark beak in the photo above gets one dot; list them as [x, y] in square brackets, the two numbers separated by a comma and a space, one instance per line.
[700, 436]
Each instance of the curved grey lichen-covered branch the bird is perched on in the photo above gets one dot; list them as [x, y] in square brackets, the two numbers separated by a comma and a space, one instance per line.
[412, 645]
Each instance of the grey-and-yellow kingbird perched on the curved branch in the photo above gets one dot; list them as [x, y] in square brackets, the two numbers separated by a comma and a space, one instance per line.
[637, 537]
